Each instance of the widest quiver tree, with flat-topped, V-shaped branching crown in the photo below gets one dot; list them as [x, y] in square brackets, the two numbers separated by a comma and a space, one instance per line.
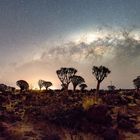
[64, 75]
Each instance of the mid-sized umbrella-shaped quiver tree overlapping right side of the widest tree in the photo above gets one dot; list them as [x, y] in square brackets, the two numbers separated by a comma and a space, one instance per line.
[76, 80]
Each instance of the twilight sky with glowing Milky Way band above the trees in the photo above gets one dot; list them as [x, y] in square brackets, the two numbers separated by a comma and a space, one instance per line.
[37, 37]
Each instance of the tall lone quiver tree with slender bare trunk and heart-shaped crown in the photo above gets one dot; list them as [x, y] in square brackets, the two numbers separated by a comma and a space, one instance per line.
[100, 73]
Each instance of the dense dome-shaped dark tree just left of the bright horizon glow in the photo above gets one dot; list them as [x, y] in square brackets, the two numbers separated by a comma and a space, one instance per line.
[23, 85]
